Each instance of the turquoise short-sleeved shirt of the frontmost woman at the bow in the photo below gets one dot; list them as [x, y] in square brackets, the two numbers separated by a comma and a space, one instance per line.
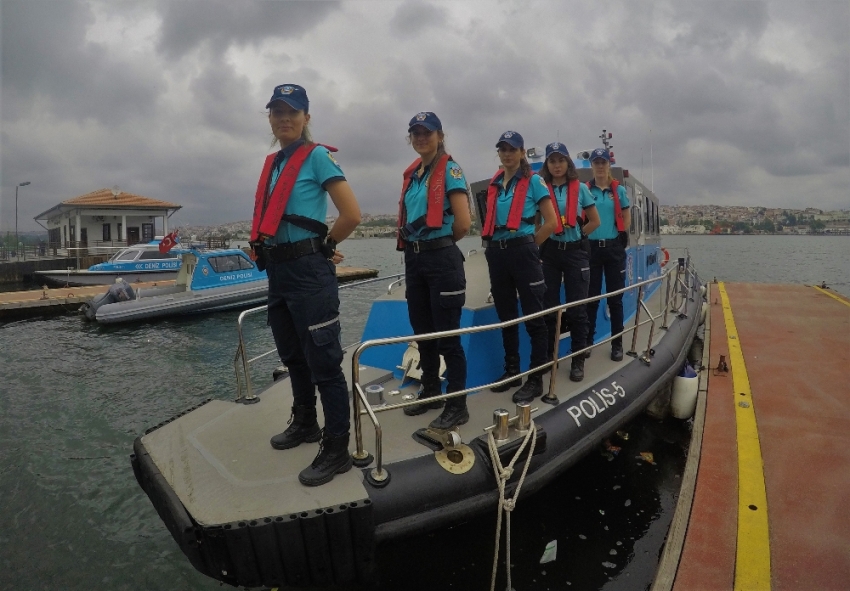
[308, 197]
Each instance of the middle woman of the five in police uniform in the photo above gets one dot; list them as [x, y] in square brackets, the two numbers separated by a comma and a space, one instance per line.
[514, 198]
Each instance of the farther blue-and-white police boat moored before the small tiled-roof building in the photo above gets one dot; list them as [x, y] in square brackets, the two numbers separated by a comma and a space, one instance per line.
[140, 262]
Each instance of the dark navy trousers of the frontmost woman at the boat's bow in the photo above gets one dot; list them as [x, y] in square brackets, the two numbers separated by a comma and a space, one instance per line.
[304, 318]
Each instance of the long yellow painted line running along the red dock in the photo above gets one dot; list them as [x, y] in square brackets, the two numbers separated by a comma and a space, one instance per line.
[752, 556]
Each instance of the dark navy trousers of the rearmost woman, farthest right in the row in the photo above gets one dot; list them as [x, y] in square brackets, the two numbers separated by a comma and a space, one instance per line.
[609, 261]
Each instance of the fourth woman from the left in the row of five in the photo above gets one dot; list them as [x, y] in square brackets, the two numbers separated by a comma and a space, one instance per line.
[566, 254]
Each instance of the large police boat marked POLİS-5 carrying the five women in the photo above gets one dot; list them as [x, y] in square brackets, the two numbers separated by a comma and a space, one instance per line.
[236, 508]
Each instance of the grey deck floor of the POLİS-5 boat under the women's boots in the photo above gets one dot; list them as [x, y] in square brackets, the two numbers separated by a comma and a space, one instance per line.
[227, 471]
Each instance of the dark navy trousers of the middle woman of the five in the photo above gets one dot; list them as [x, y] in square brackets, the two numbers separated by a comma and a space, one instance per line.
[517, 270]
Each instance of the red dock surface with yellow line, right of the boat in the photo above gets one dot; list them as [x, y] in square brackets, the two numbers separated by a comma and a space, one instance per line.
[773, 485]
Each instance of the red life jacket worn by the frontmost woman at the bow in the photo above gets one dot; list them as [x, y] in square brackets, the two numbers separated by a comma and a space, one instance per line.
[269, 209]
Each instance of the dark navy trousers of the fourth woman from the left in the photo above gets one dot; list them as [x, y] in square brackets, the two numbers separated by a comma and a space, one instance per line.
[573, 267]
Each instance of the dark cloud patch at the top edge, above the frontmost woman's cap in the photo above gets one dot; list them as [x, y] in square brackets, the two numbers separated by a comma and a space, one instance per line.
[218, 24]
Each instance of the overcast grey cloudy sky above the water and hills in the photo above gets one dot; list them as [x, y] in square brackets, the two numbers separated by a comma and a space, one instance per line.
[748, 103]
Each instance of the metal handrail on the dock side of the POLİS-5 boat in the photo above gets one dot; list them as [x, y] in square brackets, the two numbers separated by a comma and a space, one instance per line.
[360, 399]
